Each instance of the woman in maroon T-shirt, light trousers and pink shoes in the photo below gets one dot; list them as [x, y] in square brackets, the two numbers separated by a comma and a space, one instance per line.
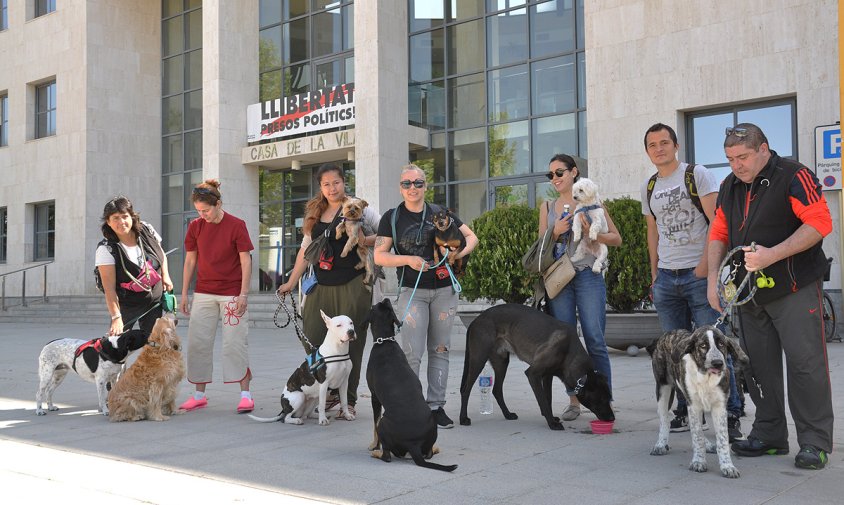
[218, 250]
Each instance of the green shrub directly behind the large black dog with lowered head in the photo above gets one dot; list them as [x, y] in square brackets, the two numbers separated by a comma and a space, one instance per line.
[494, 271]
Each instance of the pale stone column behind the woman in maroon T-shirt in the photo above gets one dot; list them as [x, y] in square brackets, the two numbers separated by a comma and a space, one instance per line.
[229, 84]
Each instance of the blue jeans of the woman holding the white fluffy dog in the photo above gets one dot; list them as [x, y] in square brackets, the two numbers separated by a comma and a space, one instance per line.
[585, 298]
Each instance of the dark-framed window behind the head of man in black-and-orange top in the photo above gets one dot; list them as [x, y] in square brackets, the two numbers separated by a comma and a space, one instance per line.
[778, 119]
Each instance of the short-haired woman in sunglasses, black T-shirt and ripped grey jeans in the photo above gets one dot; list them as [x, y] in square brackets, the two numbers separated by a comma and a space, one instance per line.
[428, 302]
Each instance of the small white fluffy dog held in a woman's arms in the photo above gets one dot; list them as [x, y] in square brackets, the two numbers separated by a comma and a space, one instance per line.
[585, 193]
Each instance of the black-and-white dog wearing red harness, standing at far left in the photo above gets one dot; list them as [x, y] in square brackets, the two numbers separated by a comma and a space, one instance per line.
[99, 361]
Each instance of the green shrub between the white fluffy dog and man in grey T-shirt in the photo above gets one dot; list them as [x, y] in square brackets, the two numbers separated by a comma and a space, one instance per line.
[628, 276]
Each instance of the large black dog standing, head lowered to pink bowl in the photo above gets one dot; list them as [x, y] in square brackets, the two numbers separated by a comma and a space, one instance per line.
[550, 347]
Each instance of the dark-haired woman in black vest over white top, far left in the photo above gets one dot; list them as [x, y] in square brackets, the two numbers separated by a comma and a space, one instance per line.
[132, 268]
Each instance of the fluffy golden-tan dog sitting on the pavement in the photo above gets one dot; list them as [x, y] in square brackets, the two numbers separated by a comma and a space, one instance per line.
[147, 390]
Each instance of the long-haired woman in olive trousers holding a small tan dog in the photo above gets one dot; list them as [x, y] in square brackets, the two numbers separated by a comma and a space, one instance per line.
[340, 288]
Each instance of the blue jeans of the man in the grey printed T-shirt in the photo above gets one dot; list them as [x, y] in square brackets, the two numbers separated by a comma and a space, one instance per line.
[680, 300]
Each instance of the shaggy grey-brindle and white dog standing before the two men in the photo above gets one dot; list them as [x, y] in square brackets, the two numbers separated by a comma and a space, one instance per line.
[696, 364]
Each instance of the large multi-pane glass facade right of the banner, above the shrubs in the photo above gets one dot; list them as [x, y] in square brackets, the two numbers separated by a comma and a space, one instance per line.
[502, 85]
